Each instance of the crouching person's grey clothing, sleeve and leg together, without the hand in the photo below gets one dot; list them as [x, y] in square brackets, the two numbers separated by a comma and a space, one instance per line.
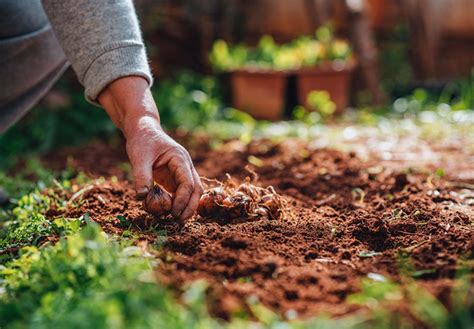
[39, 38]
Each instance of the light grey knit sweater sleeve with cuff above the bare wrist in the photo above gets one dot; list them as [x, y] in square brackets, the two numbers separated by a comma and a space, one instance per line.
[101, 39]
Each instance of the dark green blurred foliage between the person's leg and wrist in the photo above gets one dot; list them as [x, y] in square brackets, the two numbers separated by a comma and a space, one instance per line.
[51, 124]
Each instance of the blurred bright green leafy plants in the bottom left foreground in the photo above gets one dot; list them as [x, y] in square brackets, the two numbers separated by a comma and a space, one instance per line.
[86, 281]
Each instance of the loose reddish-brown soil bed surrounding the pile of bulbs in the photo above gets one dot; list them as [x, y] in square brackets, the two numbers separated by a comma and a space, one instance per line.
[344, 220]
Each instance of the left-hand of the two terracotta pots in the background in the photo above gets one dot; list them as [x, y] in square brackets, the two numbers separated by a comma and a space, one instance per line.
[261, 93]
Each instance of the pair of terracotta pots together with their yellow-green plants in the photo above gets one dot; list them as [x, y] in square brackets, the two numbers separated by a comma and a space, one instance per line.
[259, 75]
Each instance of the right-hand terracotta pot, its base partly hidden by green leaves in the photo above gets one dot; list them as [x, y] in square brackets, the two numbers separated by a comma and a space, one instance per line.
[334, 78]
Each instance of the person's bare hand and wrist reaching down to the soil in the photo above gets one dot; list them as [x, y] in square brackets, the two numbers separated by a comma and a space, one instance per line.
[154, 155]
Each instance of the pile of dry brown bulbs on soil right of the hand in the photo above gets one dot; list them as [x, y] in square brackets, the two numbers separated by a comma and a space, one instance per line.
[231, 202]
